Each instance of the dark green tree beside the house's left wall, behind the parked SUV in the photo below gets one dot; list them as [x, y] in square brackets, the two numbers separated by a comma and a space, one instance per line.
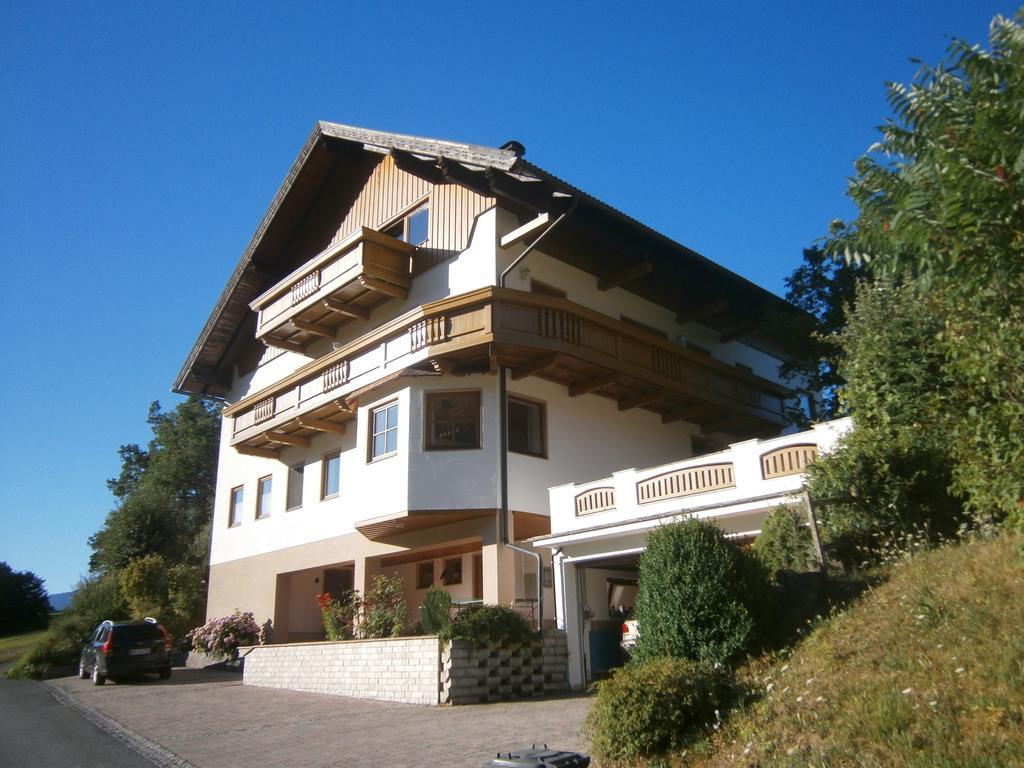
[165, 493]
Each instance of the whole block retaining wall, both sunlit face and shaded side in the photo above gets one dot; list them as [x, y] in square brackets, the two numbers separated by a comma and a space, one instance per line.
[413, 670]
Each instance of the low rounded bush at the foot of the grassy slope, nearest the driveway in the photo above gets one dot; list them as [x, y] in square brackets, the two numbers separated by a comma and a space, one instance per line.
[648, 709]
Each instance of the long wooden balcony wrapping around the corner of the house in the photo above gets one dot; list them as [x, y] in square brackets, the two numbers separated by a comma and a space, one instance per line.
[533, 334]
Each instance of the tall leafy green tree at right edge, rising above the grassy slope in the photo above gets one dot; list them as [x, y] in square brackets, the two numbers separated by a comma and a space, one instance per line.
[941, 206]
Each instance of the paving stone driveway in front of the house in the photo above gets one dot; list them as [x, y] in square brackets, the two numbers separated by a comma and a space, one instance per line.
[211, 720]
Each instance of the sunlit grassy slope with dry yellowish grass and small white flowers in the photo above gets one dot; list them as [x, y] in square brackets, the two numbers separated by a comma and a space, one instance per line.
[927, 670]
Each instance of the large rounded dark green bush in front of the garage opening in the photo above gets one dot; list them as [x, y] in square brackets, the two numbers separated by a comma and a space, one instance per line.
[700, 596]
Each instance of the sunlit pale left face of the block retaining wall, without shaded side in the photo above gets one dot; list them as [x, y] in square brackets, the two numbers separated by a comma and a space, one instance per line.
[395, 670]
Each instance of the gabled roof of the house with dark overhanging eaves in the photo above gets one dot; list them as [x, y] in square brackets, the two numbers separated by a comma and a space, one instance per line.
[596, 238]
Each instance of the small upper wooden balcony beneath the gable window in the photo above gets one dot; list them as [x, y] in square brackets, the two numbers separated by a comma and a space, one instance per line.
[343, 284]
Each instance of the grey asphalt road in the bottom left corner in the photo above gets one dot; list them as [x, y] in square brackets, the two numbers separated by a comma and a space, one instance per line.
[38, 731]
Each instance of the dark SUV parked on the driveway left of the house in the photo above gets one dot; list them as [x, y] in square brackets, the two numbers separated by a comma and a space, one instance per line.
[126, 649]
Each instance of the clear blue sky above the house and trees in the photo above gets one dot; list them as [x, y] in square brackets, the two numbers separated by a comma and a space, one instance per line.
[142, 143]
